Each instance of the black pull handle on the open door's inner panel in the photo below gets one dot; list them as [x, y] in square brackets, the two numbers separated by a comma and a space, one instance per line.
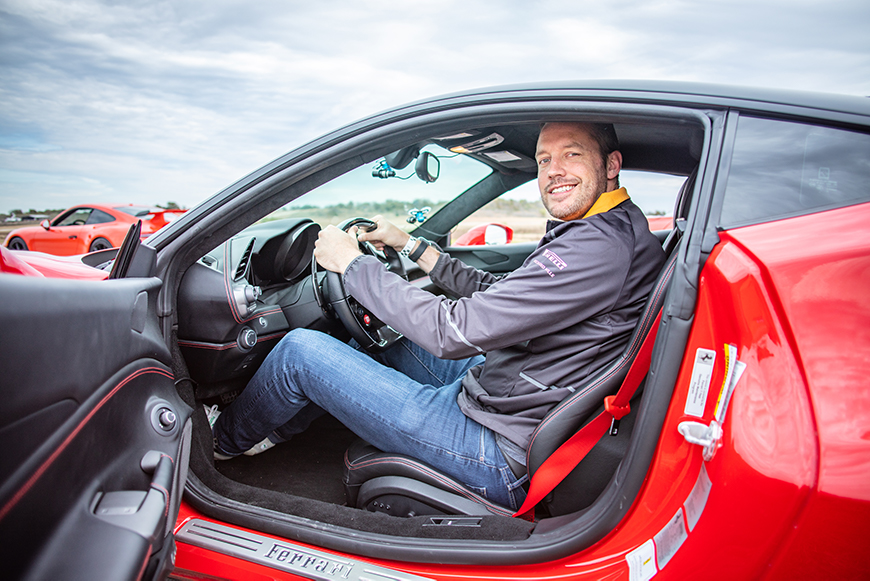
[139, 511]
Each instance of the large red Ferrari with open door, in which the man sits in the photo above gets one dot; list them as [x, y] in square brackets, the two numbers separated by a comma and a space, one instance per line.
[744, 454]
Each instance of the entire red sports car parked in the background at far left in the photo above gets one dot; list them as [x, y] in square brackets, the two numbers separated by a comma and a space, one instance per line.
[88, 228]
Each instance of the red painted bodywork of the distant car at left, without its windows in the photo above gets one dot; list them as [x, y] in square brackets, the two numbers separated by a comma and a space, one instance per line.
[71, 240]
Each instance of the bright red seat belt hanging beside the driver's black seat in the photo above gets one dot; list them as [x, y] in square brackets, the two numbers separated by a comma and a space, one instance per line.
[568, 455]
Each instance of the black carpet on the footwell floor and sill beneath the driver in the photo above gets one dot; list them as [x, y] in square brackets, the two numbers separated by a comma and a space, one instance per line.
[303, 478]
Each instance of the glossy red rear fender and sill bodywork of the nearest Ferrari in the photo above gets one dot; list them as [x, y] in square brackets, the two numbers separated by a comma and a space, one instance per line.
[789, 496]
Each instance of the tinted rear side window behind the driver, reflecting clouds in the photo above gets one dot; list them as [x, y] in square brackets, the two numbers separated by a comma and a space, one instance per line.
[781, 169]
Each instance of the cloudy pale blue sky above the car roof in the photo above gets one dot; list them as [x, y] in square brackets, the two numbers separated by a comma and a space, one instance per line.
[157, 101]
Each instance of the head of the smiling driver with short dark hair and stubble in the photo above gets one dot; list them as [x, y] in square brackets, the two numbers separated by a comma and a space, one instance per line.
[571, 171]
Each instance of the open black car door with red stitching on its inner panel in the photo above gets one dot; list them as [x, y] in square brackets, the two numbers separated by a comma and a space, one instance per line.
[95, 435]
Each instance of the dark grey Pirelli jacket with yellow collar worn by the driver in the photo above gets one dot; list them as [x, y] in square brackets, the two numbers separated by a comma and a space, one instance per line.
[565, 313]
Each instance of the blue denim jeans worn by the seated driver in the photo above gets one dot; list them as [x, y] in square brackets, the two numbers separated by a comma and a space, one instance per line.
[401, 401]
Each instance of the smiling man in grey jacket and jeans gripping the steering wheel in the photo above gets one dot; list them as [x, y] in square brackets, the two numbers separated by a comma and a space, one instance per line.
[566, 312]
